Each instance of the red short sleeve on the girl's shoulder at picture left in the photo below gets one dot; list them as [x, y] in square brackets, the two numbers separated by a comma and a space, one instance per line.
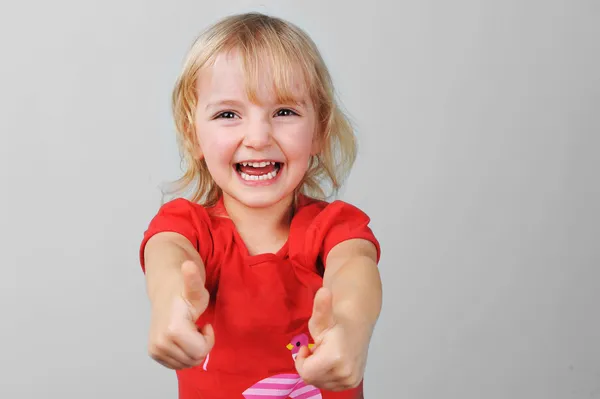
[183, 217]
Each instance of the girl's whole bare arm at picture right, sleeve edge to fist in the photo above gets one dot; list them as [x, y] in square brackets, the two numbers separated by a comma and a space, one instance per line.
[344, 314]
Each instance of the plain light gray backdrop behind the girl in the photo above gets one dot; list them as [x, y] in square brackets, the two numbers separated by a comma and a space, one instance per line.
[479, 131]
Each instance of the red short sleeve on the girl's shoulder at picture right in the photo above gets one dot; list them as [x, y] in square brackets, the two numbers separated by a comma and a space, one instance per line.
[340, 221]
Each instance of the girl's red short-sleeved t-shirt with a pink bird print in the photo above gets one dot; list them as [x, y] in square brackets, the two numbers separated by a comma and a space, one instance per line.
[260, 305]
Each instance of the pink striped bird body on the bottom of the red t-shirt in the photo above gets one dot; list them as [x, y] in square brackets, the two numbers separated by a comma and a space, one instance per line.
[282, 386]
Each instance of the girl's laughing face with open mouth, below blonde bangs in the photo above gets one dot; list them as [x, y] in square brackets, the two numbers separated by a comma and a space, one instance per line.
[256, 153]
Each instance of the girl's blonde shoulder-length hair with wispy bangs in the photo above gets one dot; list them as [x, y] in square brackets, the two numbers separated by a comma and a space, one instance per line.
[264, 40]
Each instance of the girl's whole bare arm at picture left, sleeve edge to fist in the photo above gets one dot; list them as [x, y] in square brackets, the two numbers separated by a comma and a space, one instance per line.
[175, 278]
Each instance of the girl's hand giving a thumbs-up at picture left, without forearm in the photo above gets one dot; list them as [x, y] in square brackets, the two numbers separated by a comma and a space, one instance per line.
[175, 341]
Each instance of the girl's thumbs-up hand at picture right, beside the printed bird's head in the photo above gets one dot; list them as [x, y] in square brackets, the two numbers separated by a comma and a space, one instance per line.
[337, 360]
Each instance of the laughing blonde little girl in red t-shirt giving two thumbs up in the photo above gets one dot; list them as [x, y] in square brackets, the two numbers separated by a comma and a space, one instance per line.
[259, 288]
